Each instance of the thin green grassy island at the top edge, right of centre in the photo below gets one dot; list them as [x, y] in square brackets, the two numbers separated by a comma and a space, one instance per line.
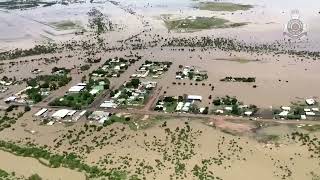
[217, 6]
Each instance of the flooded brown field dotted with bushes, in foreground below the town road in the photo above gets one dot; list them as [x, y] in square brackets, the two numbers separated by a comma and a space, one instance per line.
[169, 148]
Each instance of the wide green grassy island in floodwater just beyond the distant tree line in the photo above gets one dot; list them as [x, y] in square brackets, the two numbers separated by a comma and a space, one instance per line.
[200, 23]
